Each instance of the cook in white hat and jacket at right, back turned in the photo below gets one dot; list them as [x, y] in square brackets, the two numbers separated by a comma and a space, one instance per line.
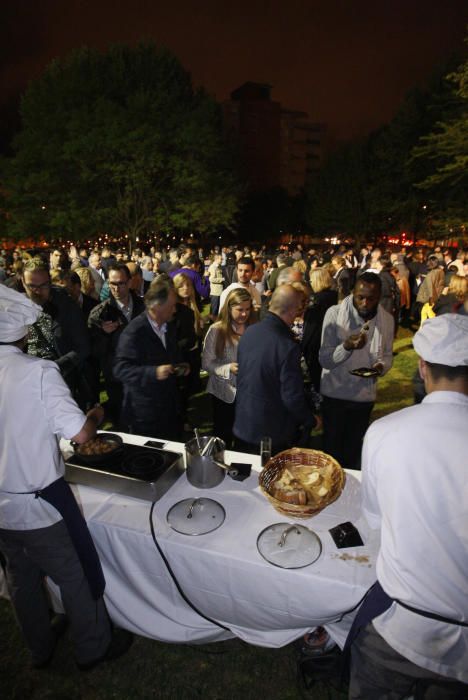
[413, 634]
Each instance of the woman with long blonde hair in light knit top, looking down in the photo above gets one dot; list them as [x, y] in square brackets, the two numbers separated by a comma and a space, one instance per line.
[219, 359]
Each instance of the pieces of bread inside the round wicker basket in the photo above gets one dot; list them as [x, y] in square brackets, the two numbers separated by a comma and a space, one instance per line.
[304, 485]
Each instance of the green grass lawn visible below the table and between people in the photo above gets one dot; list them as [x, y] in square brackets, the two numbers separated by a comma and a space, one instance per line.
[225, 671]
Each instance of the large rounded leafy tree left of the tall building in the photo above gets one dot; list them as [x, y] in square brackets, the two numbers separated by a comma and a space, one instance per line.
[119, 142]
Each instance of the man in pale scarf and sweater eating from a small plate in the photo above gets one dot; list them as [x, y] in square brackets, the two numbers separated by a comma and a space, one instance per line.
[356, 334]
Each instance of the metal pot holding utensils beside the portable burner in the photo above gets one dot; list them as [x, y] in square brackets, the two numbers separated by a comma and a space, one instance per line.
[205, 470]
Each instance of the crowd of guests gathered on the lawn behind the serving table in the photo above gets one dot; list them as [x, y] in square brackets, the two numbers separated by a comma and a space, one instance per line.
[347, 303]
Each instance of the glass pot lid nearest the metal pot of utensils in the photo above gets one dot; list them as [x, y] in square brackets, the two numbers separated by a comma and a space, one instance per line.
[196, 516]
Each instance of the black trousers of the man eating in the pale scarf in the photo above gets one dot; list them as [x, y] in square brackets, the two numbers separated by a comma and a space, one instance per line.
[344, 426]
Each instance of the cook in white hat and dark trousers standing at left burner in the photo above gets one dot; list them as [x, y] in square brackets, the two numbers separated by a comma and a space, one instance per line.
[42, 531]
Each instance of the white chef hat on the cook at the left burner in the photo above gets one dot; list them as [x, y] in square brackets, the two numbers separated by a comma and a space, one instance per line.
[17, 312]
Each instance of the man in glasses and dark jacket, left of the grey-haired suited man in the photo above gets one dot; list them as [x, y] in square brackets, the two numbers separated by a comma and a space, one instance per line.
[106, 322]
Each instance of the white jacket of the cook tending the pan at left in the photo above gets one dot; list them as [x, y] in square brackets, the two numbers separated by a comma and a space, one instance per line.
[36, 409]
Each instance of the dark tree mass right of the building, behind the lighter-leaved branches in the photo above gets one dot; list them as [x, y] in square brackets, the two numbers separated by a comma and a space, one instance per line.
[370, 187]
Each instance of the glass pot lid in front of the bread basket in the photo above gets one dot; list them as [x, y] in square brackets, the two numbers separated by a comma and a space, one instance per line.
[289, 546]
